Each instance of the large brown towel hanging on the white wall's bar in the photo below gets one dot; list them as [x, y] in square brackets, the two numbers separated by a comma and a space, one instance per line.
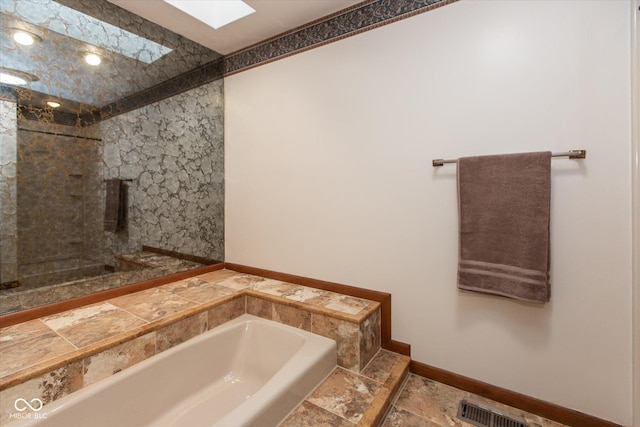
[504, 206]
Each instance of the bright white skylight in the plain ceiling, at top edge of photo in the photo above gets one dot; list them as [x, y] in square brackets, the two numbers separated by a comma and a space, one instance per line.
[214, 13]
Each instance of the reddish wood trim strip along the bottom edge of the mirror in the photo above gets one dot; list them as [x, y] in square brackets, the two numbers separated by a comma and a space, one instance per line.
[10, 319]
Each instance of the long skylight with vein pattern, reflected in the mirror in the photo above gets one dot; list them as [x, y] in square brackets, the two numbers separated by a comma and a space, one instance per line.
[70, 22]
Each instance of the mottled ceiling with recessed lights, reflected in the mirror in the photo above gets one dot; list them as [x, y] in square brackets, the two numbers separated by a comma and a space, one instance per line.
[57, 59]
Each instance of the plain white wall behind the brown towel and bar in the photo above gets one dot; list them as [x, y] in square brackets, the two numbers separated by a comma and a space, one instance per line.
[328, 175]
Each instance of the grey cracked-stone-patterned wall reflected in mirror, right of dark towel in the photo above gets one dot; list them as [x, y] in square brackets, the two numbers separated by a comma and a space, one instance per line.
[174, 153]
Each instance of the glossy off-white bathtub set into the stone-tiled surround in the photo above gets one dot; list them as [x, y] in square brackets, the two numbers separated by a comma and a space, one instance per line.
[246, 372]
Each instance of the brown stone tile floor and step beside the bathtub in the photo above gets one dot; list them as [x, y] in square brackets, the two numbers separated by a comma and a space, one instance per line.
[346, 398]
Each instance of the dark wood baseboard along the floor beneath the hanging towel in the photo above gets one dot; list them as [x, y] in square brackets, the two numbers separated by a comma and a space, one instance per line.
[526, 403]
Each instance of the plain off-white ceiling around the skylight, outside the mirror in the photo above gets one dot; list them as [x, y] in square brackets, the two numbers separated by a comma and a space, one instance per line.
[272, 17]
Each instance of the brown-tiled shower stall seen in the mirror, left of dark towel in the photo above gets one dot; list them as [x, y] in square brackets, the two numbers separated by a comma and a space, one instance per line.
[60, 204]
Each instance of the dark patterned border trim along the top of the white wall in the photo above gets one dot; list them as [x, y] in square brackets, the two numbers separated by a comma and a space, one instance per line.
[346, 23]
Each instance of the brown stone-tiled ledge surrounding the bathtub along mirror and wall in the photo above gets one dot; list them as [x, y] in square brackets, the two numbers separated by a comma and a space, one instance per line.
[58, 354]
